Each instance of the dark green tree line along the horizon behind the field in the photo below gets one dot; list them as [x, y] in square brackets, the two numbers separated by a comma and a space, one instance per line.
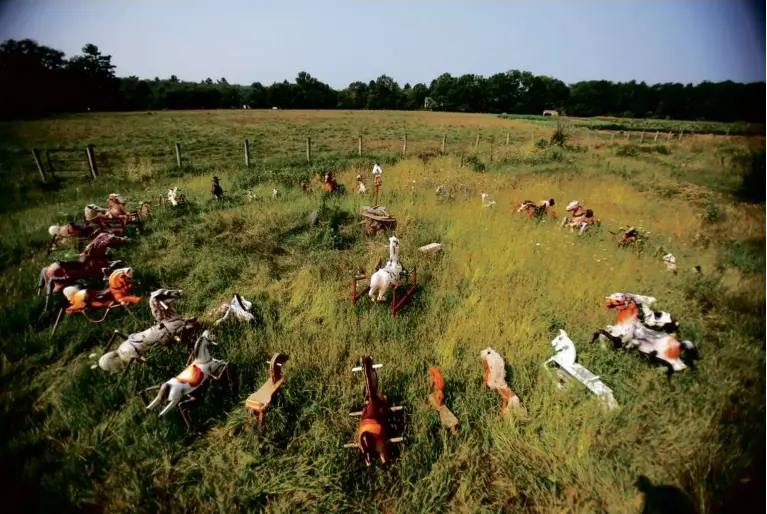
[38, 80]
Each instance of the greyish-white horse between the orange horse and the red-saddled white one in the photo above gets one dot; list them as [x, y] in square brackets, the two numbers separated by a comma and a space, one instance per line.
[168, 325]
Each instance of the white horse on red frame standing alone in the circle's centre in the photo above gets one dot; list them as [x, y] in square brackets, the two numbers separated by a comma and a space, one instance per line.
[385, 278]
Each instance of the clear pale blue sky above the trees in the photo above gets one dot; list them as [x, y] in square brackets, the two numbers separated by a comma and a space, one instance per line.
[411, 40]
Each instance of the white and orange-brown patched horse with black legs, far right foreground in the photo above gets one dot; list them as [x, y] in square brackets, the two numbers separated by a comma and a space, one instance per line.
[630, 332]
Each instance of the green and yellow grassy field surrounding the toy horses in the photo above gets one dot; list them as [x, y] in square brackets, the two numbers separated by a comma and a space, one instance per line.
[75, 439]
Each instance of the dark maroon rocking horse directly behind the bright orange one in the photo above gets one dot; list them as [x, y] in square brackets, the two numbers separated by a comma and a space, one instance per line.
[90, 264]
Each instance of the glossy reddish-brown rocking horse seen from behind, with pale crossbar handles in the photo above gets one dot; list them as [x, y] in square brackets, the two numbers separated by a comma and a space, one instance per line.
[375, 417]
